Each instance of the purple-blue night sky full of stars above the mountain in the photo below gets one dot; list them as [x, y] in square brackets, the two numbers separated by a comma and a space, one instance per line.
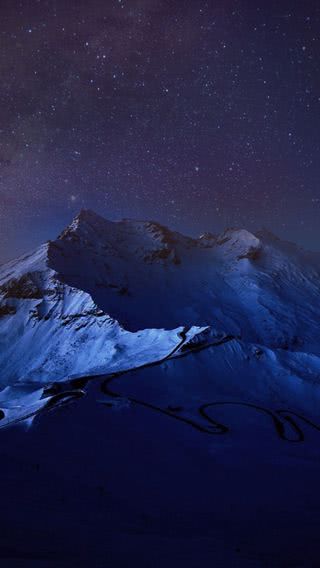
[199, 114]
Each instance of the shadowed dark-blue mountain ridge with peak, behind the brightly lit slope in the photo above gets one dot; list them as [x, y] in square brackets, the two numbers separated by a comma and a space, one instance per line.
[144, 275]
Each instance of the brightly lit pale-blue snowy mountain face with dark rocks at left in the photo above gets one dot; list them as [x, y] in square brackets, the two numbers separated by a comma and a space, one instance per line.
[51, 331]
